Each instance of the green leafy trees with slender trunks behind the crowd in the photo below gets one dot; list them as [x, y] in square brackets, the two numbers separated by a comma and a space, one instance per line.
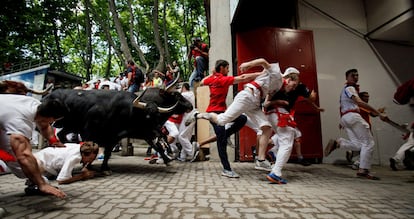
[97, 37]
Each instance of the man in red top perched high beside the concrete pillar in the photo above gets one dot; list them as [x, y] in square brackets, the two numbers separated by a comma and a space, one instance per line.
[199, 51]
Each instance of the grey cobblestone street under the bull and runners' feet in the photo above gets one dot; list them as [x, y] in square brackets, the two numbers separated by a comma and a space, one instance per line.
[137, 189]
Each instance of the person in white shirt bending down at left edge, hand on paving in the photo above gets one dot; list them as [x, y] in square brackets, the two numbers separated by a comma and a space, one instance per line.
[18, 116]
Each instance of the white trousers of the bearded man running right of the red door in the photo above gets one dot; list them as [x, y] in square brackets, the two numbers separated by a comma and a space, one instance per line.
[360, 138]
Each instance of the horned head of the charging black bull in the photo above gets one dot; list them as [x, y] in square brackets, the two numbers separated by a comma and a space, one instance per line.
[169, 98]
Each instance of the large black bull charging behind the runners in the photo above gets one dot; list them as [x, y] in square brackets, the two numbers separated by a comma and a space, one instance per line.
[106, 117]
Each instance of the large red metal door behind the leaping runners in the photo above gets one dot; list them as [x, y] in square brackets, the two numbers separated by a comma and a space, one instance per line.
[290, 48]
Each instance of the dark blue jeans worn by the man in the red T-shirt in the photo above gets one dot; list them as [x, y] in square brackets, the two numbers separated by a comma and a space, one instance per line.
[222, 134]
